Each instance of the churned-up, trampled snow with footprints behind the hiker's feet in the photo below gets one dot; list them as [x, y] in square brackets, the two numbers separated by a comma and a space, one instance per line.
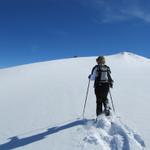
[109, 133]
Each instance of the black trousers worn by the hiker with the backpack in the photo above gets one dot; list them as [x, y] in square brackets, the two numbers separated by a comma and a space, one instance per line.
[101, 93]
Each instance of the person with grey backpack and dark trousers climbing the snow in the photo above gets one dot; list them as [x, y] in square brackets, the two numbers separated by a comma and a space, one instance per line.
[103, 81]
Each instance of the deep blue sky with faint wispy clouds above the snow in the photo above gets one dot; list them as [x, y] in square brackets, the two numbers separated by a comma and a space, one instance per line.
[39, 30]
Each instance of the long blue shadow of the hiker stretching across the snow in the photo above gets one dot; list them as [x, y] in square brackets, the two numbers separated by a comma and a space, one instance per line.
[16, 142]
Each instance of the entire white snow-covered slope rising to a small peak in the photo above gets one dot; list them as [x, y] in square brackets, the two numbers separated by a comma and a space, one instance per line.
[41, 105]
